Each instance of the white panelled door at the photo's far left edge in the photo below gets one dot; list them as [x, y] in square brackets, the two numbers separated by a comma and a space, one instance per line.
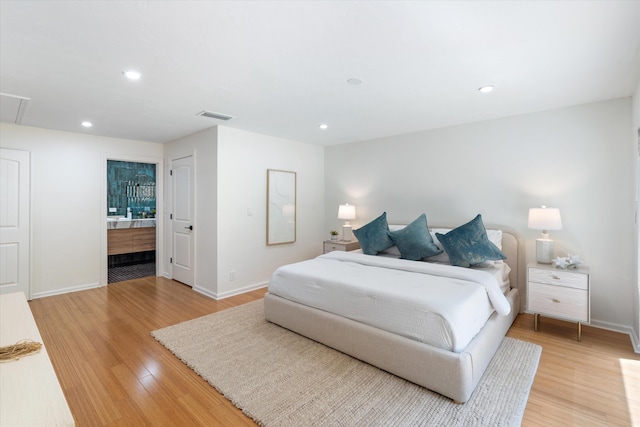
[14, 221]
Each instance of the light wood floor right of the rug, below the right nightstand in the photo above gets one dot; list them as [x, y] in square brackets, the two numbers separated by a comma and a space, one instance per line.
[580, 383]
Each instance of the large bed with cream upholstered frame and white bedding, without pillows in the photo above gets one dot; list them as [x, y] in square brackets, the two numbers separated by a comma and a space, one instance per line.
[345, 300]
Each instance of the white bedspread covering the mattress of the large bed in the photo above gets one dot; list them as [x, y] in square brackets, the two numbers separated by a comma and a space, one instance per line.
[441, 305]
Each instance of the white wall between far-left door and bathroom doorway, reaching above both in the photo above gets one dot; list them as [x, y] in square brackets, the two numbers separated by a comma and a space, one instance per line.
[68, 202]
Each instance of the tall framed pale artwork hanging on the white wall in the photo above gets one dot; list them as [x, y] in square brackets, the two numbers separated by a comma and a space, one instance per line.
[281, 207]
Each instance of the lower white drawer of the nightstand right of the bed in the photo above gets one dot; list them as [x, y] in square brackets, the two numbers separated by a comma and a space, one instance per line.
[567, 303]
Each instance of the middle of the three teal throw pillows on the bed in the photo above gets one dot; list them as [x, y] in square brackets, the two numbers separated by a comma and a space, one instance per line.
[414, 241]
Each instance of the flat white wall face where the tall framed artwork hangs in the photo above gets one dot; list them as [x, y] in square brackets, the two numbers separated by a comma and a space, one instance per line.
[243, 160]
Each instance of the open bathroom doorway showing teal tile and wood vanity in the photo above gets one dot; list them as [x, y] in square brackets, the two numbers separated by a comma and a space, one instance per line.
[131, 220]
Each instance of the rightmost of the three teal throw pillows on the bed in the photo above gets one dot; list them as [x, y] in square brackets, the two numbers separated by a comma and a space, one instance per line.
[469, 245]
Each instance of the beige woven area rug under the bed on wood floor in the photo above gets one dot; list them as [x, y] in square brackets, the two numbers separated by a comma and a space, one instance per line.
[279, 378]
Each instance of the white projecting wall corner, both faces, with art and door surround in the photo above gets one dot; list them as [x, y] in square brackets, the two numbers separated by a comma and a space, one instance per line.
[231, 172]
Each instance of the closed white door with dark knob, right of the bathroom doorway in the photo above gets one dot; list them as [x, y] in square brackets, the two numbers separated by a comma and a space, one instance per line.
[182, 221]
